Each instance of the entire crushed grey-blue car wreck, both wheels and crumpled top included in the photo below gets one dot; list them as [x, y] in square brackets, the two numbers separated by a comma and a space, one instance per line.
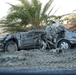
[54, 36]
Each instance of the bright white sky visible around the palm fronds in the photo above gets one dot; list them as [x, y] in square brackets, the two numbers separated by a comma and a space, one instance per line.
[63, 6]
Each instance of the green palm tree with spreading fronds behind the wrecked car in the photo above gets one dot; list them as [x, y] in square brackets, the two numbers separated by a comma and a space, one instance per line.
[27, 12]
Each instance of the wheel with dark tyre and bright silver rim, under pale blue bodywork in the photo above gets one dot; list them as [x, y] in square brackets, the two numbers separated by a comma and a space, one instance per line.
[64, 44]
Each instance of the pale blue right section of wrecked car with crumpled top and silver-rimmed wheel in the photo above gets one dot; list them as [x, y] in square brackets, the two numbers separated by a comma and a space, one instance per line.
[62, 37]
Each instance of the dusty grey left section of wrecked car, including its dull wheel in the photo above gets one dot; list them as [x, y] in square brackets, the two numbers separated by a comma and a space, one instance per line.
[26, 40]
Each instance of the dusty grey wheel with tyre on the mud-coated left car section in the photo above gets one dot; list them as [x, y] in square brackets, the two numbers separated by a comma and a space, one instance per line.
[11, 46]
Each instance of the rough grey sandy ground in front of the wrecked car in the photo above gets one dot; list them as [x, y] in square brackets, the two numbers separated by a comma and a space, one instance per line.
[39, 60]
